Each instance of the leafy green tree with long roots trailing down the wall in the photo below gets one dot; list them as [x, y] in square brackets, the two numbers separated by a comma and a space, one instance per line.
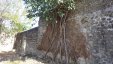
[55, 13]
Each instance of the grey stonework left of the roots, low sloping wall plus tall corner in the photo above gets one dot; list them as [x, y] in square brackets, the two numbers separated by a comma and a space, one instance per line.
[27, 42]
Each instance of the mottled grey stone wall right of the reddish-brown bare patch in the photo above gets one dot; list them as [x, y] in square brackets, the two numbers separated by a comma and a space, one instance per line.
[95, 18]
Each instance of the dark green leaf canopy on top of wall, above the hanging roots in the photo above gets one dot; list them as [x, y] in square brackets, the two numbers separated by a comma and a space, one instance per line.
[49, 10]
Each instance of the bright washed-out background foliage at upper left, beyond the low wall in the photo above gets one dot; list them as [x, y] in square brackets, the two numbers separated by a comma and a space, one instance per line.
[13, 12]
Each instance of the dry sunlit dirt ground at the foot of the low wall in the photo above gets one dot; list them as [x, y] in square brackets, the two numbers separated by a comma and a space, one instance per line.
[13, 58]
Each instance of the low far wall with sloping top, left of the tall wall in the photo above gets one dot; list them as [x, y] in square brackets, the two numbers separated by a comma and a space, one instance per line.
[25, 42]
